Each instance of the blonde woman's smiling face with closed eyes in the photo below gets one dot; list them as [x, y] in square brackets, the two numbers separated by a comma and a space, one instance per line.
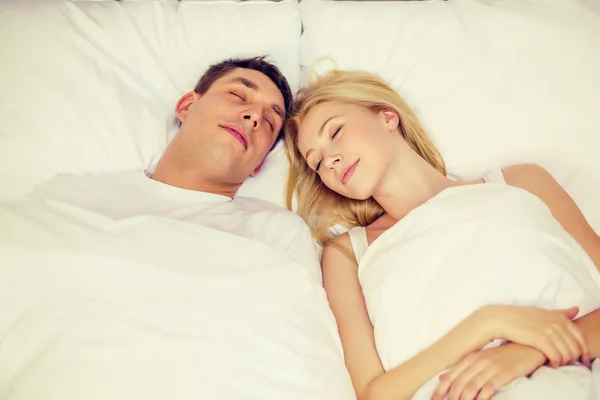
[349, 146]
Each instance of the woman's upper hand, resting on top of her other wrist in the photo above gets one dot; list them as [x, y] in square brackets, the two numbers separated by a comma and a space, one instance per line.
[550, 331]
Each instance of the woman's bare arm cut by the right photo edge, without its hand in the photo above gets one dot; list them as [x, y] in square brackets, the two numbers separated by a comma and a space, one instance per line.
[538, 181]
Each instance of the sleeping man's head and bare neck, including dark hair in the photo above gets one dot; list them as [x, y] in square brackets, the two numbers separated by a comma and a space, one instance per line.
[228, 125]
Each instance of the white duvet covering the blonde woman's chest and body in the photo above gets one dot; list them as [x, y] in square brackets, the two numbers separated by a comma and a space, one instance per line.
[465, 248]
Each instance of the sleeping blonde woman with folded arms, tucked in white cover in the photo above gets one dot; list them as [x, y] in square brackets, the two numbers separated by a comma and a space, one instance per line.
[359, 158]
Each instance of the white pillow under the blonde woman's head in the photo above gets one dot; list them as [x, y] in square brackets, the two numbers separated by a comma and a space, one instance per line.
[493, 82]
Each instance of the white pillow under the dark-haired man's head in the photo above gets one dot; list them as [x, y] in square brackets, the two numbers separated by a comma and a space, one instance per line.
[90, 87]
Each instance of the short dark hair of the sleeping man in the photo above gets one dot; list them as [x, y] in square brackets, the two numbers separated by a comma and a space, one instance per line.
[259, 64]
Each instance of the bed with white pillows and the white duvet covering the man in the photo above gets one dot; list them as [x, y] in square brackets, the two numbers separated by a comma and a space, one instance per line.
[88, 90]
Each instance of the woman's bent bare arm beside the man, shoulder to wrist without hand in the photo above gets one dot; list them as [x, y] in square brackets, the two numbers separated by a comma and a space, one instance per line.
[340, 279]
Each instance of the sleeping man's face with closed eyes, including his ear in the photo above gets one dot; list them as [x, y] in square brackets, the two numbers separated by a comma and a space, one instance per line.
[231, 128]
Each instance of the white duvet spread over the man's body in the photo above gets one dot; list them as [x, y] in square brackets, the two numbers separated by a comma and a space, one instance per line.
[155, 308]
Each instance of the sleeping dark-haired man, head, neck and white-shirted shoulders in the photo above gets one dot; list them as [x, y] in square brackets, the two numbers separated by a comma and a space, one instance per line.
[229, 123]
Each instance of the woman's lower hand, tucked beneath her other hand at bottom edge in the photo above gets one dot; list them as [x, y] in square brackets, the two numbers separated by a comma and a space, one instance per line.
[479, 375]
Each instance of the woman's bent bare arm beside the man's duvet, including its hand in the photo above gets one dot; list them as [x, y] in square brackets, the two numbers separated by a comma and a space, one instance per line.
[520, 324]
